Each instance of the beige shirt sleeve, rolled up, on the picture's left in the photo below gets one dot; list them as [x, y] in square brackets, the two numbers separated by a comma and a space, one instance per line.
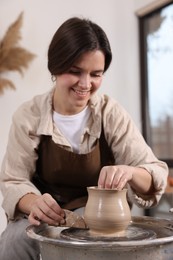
[18, 165]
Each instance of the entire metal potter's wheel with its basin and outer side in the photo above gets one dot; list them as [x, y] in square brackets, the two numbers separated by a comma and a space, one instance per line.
[145, 238]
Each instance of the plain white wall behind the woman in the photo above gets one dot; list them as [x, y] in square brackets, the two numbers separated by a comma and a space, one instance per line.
[41, 19]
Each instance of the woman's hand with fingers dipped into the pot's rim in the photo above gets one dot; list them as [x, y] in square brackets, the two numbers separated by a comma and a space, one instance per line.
[115, 176]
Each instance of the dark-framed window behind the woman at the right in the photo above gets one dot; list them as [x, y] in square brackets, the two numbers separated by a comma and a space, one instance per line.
[156, 52]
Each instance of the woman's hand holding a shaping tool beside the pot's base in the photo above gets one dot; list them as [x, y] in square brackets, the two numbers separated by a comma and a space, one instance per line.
[42, 208]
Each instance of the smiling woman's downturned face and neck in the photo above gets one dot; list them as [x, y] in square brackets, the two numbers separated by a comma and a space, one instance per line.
[75, 87]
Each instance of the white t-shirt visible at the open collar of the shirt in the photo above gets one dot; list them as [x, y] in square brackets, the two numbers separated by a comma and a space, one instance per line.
[72, 126]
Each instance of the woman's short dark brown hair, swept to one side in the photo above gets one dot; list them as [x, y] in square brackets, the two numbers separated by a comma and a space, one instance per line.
[73, 38]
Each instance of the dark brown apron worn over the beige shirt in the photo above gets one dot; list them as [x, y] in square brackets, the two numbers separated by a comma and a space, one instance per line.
[65, 175]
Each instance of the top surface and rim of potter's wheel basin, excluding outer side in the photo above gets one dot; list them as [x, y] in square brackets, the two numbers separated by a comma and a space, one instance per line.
[141, 231]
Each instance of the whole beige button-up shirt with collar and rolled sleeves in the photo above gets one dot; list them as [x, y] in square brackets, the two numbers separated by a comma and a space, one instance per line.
[34, 118]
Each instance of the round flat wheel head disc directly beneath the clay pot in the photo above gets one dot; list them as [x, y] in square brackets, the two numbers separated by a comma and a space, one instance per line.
[131, 234]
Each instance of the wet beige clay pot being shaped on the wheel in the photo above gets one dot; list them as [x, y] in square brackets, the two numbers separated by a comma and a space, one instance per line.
[107, 211]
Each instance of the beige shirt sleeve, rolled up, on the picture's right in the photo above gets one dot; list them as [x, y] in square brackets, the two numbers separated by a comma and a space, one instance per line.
[130, 148]
